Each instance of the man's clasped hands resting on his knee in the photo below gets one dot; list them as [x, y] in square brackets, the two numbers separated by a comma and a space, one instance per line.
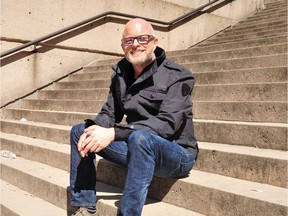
[94, 139]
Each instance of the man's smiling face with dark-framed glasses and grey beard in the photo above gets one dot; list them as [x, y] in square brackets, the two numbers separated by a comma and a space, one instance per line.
[139, 45]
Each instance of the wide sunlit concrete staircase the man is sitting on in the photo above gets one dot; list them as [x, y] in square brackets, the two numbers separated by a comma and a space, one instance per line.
[240, 110]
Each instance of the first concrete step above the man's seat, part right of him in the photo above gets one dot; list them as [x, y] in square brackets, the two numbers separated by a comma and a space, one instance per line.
[254, 164]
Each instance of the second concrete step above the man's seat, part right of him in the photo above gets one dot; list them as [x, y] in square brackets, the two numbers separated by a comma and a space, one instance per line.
[251, 134]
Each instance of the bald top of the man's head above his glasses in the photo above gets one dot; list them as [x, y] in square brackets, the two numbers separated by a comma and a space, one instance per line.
[137, 27]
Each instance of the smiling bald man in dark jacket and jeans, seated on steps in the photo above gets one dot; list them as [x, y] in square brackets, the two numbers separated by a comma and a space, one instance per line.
[158, 139]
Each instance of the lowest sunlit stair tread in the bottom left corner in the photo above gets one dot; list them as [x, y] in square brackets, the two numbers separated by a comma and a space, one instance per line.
[26, 204]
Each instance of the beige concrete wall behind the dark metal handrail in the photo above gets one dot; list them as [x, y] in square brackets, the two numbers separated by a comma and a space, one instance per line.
[30, 19]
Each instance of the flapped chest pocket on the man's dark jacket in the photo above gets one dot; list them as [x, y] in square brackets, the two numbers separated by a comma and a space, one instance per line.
[150, 101]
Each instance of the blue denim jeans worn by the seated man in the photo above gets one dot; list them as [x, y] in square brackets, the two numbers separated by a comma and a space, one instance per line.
[144, 155]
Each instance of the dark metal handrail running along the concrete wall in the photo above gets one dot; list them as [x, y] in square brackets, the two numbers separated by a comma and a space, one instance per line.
[105, 14]
